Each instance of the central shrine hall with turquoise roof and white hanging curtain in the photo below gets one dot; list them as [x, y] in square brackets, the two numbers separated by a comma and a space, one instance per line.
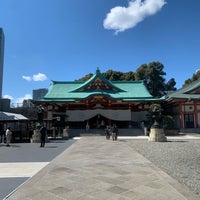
[97, 102]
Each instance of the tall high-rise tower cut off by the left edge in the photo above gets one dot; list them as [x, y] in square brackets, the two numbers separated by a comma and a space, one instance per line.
[2, 40]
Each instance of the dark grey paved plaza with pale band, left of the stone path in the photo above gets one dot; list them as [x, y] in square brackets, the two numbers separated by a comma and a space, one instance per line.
[21, 161]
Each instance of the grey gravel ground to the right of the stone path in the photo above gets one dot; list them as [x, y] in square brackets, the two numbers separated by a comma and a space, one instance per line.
[178, 158]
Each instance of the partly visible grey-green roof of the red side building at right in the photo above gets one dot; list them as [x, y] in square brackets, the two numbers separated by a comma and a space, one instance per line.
[191, 91]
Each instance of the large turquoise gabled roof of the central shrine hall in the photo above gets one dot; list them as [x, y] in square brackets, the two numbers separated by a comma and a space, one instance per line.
[98, 85]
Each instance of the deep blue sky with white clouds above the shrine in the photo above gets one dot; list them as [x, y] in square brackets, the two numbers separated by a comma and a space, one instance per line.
[64, 40]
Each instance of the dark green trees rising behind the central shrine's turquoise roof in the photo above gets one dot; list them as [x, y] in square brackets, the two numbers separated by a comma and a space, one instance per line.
[152, 74]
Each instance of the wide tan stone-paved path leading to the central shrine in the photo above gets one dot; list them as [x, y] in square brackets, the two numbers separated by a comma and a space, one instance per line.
[94, 168]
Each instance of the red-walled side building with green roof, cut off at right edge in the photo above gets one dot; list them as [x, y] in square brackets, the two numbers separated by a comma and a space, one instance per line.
[184, 106]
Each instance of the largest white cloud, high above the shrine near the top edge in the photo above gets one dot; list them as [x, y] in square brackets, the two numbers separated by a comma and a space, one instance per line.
[122, 18]
